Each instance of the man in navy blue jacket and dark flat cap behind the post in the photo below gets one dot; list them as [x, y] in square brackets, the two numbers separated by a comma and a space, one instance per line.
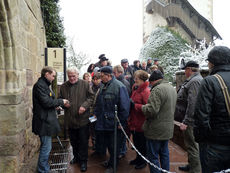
[112, 92]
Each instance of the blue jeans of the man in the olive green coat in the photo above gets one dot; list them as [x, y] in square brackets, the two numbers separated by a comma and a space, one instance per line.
[156, 149]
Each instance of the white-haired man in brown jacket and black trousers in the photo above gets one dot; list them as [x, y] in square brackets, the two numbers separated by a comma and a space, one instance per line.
[81, 96]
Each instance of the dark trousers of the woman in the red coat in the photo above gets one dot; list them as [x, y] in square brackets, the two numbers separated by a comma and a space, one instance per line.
[140, 143]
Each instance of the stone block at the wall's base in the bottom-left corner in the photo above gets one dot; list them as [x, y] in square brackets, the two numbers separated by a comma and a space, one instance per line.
[9, 164]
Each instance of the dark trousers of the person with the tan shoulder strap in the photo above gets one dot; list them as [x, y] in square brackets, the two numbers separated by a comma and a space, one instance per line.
[214, 157]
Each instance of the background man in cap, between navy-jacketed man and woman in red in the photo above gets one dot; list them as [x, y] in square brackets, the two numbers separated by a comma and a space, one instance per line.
[128, 71]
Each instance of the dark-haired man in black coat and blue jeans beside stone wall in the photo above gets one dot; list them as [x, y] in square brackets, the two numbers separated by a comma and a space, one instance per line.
[45, 122]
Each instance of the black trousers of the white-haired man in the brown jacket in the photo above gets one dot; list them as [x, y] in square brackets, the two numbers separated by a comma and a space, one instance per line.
[79, 141]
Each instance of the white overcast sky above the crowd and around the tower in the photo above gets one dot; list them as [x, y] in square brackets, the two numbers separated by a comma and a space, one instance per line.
[115, 27]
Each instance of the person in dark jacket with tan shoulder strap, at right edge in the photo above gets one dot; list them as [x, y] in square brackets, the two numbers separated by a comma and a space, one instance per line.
[212, 117]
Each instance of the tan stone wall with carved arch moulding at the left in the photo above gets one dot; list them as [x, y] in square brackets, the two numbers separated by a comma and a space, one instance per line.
[22, 42]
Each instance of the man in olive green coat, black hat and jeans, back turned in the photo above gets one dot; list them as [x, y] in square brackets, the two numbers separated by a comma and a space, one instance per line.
[159, 124]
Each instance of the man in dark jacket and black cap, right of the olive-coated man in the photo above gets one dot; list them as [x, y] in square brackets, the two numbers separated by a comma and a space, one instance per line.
[184, 113]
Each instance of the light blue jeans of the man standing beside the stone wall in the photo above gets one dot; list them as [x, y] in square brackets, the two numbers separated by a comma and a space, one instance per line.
[45, 148]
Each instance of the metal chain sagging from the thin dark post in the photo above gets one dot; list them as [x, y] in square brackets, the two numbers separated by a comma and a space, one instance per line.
[160, 169]
